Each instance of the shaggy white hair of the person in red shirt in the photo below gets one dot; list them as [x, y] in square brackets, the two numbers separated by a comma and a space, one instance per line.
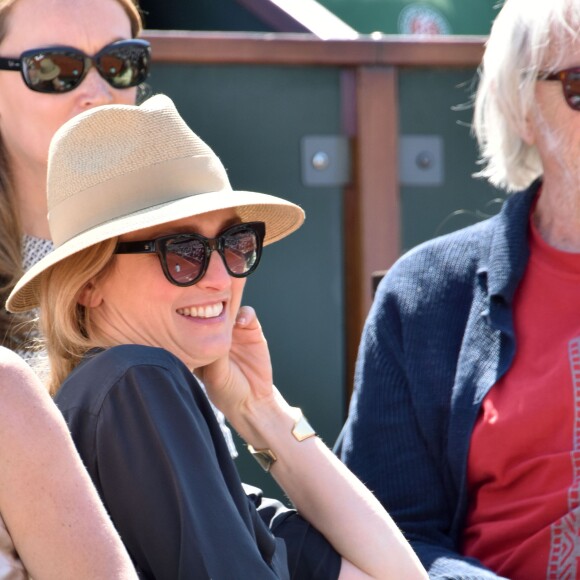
[528, 39]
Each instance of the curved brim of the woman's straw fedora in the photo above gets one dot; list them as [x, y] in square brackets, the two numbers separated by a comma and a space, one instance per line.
[280, 216]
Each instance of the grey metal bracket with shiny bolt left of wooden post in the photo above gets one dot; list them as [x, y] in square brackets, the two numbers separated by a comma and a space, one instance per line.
[325, 160]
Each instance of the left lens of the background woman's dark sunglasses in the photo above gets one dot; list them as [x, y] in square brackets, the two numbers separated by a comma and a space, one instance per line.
[53, 71]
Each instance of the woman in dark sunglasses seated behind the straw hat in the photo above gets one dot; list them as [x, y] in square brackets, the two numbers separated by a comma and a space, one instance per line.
[39, 92]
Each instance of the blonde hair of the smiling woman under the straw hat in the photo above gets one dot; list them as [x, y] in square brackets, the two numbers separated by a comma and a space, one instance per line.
[65, 324]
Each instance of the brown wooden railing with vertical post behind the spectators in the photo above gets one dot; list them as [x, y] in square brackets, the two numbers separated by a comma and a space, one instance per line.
[370, 117]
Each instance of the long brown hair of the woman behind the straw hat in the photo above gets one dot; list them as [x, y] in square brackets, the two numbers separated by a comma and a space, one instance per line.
[15, 328]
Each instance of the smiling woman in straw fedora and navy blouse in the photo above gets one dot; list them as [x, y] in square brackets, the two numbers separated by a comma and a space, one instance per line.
[144, 286]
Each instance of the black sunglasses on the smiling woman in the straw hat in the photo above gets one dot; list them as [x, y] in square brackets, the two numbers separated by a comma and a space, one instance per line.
[185, 257]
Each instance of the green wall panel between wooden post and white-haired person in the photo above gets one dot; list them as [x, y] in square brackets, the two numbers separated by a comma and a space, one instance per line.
[437, 102]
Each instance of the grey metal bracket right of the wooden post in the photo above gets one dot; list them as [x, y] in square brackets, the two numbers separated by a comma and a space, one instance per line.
[421, 160]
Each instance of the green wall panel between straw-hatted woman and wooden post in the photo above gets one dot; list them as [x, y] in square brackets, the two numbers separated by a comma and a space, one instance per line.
[254, 118]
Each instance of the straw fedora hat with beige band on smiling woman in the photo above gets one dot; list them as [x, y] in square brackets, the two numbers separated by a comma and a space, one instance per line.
[116, 169]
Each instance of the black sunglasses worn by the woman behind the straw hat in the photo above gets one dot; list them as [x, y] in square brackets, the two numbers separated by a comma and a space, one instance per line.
[59, 69]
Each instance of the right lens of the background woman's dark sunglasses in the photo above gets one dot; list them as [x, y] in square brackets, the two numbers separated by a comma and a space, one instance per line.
[124, 64]
